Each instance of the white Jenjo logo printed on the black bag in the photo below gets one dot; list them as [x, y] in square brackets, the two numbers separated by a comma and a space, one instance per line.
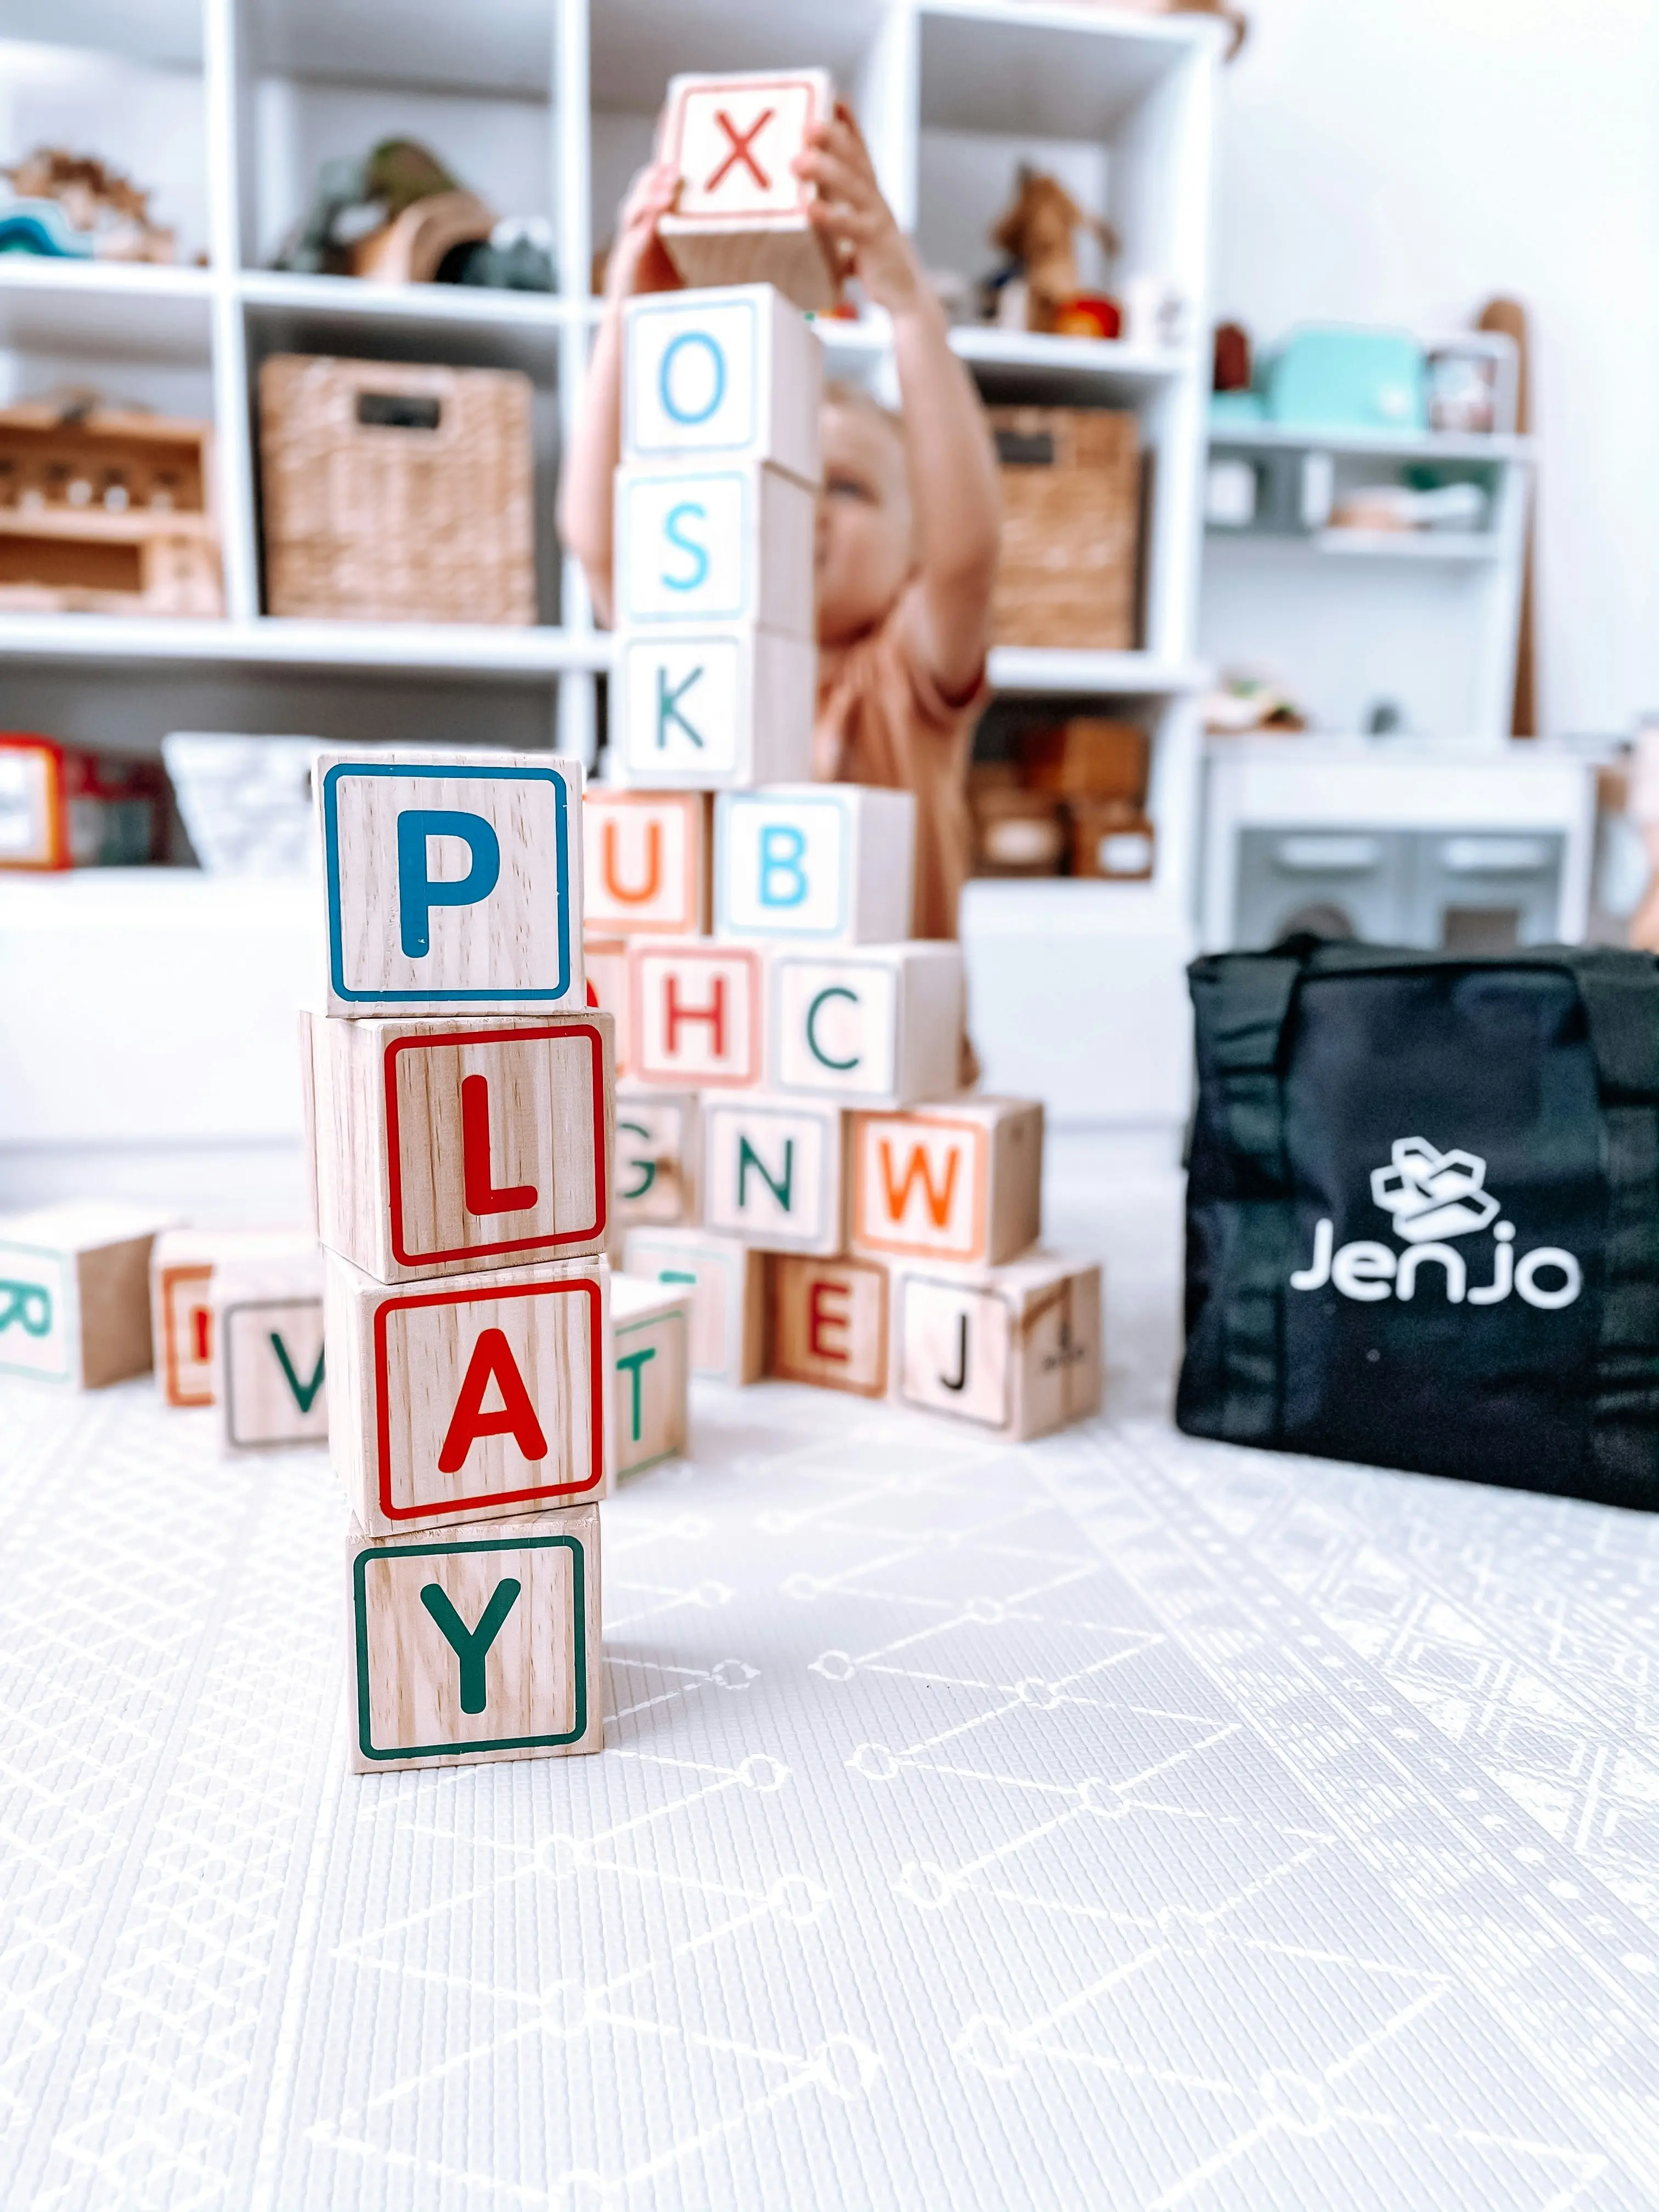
[1434, 1198]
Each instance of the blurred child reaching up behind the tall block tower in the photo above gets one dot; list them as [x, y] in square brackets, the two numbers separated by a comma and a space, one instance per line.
[908, 517]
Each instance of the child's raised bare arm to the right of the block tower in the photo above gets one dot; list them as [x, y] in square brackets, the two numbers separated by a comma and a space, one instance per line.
[952, 466]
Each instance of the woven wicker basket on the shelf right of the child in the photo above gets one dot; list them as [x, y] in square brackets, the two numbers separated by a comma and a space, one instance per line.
[1072, 492]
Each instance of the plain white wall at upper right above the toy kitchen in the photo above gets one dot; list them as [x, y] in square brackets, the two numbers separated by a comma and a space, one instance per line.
[1404, 160]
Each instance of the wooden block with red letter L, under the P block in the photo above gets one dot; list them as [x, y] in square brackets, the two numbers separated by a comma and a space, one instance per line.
[446, 1147]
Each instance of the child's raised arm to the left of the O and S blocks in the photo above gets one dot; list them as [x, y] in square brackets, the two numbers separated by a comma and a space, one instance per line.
[638, 264]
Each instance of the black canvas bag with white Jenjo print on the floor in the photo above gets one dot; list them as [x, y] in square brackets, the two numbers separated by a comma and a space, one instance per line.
[1423, 1213]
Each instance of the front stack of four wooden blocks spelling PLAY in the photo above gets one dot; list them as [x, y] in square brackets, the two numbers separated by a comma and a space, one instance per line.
[461, 1103]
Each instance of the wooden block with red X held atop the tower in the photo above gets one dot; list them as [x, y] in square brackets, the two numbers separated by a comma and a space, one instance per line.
[742, 213]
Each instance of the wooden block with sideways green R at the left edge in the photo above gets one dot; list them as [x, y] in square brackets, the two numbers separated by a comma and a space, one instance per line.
[76, 1293]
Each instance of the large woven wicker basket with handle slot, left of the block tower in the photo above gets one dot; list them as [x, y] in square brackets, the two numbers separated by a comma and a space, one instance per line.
[397, 494]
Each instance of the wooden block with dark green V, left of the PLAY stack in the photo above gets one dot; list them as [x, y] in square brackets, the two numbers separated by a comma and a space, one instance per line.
[269, 1353]
